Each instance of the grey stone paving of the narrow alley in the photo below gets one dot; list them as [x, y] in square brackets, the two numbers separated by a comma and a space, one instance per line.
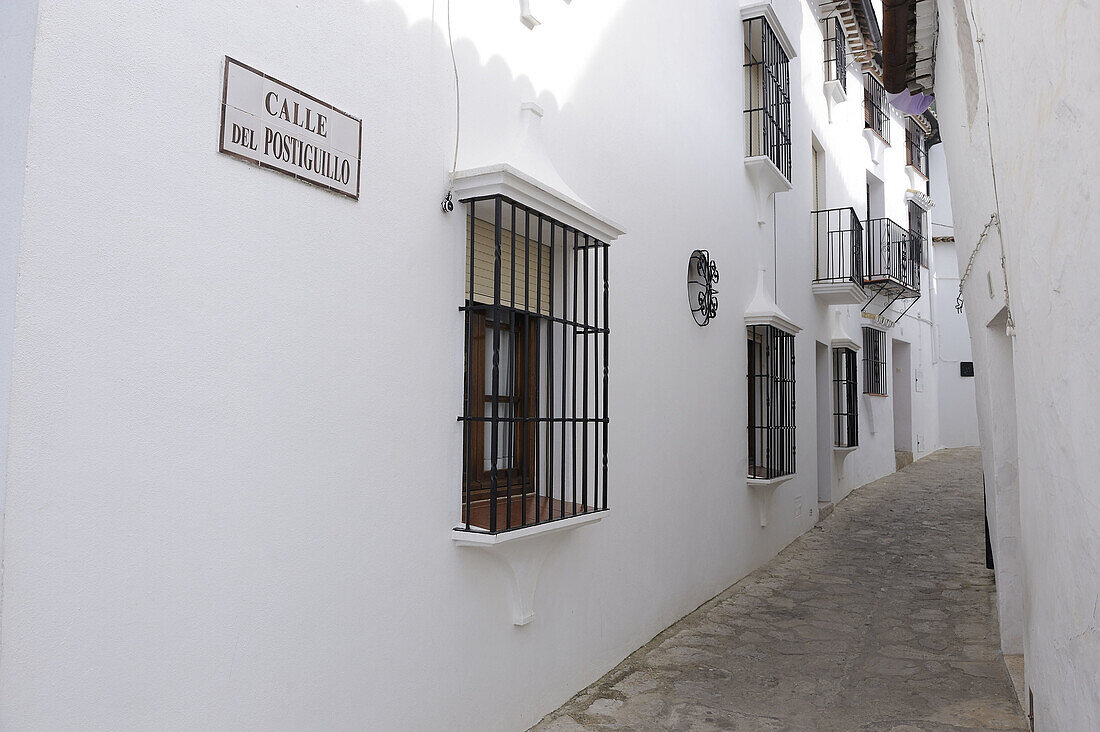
[881, 618]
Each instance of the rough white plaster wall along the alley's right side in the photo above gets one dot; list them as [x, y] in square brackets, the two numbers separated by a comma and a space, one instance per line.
[1040, 85]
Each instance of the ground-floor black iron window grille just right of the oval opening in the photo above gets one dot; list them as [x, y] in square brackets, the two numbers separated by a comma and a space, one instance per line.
[772, 402]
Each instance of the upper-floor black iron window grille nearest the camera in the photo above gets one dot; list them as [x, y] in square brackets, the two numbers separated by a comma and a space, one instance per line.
[767, 96]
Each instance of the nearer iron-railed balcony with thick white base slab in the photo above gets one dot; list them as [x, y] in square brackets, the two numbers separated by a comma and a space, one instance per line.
[839, 254]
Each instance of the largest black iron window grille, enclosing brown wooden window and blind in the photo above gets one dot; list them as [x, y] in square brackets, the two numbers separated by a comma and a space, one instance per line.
[535, 412]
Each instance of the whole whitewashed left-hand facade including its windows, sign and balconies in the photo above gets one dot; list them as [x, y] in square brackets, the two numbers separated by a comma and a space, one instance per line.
[291, 456]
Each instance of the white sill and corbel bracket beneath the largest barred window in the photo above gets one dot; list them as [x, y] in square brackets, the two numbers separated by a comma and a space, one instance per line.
[523, 553]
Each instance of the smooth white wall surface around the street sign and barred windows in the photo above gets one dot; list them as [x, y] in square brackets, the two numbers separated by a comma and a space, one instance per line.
[234, 456]
